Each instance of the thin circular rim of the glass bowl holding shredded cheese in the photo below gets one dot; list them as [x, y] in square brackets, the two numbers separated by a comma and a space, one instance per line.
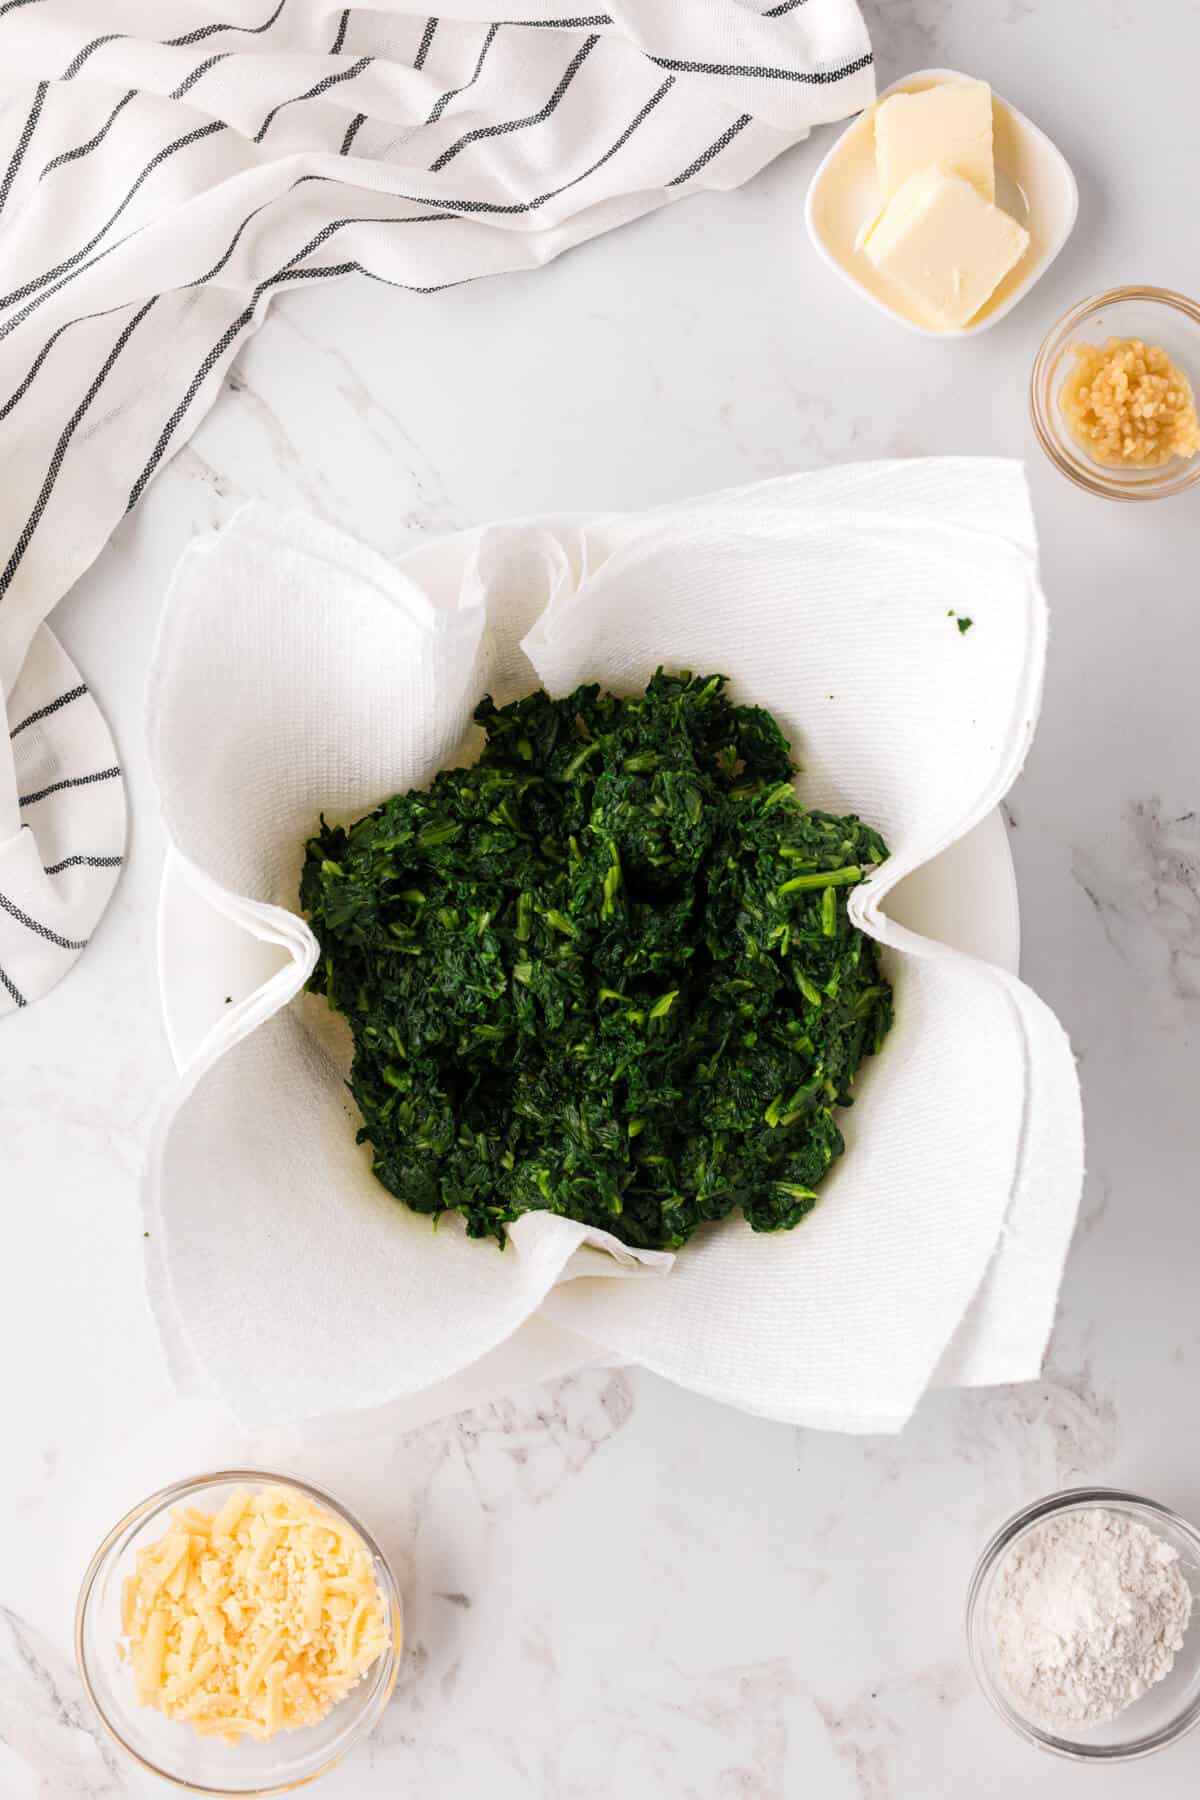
[177, 1491]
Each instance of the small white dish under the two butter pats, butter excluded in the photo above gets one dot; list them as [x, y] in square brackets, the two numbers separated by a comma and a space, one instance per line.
[1034, 183]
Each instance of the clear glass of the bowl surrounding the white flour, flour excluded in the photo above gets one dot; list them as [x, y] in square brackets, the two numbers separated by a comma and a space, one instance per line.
[1154, 1722]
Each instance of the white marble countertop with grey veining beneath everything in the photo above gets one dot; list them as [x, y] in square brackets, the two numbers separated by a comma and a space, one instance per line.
[613, 1587]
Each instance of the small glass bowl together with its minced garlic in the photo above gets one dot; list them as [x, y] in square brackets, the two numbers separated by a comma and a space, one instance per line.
[1115, 395]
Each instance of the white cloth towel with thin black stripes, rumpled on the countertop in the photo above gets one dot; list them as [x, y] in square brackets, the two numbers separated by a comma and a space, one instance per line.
[166, 166]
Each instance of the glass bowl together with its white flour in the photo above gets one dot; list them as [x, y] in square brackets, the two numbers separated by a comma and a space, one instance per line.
[1084, 1624]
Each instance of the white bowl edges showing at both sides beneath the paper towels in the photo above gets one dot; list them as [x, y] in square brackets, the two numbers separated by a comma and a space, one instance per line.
[208, 962]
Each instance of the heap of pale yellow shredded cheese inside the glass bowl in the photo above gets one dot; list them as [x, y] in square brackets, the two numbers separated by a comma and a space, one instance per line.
[256, 1619]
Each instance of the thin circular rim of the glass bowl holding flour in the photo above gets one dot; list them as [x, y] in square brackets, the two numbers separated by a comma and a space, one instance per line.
[1073, 1500]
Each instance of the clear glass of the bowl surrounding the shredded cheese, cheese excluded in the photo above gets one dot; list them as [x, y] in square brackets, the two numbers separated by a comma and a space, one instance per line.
[168, 1747]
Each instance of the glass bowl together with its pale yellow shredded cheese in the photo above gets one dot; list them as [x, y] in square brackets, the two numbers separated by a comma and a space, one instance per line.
[238, 1633]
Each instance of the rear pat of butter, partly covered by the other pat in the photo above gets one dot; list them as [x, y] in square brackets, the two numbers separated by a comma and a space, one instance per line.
[949, 125]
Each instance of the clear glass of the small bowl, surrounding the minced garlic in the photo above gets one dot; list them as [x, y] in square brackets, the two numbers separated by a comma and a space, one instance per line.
[1151, 314]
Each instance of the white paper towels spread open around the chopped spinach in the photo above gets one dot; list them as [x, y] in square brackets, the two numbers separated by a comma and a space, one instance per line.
[301, 674]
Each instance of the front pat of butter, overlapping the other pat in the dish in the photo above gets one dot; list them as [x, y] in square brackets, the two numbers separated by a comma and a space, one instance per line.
[945, 247]
